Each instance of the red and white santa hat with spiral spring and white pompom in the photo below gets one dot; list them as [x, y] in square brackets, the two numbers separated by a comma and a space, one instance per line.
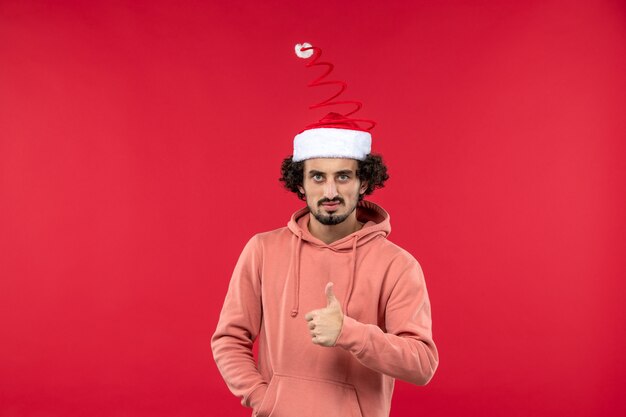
[336, 135]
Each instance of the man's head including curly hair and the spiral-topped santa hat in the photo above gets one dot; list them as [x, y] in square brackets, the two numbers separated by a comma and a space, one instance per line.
[332, 167]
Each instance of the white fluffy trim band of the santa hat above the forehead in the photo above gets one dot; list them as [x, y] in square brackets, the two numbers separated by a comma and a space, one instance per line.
[330, 142]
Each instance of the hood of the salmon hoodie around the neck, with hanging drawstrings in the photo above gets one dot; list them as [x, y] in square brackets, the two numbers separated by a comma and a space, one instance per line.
[375, 224]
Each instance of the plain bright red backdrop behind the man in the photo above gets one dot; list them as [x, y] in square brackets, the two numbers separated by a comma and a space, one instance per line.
[140, 146]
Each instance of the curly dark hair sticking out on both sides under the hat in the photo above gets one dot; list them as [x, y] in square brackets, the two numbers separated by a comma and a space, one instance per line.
[372, 169]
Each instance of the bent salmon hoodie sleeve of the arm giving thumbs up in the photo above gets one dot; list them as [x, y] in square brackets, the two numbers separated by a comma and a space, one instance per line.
[406, 350]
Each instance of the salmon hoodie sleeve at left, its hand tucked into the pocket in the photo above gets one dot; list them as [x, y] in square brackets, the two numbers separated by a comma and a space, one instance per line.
[238, 328]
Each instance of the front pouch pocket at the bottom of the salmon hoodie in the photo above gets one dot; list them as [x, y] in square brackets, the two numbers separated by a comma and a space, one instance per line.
[289, 396]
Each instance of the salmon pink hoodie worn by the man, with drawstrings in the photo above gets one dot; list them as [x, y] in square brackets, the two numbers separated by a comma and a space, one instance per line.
[386, 333]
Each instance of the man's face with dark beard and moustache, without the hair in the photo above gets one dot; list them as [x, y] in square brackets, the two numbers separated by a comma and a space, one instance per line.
[331, 188]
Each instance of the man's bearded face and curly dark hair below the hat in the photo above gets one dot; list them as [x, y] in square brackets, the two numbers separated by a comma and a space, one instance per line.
[321, 181]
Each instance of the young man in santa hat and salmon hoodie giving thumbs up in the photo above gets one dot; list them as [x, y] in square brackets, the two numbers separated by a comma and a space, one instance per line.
[338, 310]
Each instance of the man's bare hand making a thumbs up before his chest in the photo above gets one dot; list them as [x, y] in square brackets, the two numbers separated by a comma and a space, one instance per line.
[325, 324]
